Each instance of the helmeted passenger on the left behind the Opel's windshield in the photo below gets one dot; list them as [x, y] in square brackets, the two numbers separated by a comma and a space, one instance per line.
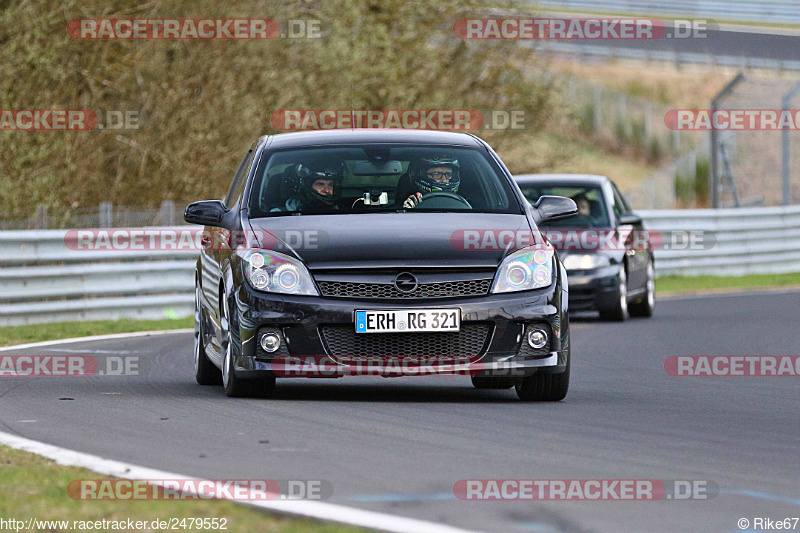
[316, 186]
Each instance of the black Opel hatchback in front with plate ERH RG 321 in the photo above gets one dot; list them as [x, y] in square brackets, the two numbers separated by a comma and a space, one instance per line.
[338, 247]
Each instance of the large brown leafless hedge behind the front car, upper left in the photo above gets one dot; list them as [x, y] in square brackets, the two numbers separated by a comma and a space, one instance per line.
[206, 101]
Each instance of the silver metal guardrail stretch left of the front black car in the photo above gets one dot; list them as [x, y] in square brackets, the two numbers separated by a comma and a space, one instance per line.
[43, 280]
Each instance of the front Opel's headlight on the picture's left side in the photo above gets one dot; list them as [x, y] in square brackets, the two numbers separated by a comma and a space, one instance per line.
[270, 271]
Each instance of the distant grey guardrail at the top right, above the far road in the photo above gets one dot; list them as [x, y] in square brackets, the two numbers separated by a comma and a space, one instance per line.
[770, 11]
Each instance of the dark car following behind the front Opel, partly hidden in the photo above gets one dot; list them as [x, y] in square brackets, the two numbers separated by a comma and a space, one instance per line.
[605, 248]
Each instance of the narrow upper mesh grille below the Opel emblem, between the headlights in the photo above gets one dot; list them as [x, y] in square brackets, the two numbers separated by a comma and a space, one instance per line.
[444, 289]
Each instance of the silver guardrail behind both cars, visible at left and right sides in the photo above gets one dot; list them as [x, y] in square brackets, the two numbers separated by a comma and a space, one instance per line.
[43, 280]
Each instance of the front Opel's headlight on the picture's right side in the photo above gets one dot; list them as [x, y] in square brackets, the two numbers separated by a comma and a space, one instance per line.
[524, 270]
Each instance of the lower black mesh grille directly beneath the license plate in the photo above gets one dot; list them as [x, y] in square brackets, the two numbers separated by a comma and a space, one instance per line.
[344, 342]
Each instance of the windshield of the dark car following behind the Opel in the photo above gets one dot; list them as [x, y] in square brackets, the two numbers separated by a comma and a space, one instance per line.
[592, 212]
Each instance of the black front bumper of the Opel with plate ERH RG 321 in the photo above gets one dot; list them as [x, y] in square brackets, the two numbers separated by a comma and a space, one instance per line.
[300, 320]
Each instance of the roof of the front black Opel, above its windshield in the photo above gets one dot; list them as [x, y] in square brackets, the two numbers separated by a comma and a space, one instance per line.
[369, 136]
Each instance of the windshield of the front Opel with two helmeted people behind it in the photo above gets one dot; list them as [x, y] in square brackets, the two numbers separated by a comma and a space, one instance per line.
[379, 178]
